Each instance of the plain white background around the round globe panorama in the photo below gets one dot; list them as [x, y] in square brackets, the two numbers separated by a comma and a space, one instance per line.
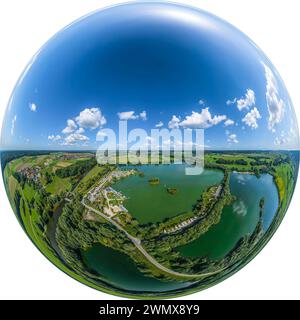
[25, 25]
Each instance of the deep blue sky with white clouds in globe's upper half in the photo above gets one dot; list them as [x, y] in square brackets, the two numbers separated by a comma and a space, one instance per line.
[156, 66]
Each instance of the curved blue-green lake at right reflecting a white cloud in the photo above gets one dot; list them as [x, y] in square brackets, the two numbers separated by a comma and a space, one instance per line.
[239, 218]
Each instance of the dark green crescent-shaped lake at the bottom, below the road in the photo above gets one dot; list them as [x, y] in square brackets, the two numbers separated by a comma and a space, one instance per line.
[119, 270]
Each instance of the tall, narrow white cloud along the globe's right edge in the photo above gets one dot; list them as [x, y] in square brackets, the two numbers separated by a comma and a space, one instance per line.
[274, 103]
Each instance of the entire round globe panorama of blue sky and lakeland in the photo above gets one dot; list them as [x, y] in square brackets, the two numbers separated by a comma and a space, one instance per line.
[150, 150]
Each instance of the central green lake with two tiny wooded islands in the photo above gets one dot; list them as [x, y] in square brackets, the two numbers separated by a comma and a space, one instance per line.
[151, 203]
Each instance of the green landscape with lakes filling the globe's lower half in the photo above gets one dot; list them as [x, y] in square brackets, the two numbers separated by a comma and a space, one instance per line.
[73, 209]
